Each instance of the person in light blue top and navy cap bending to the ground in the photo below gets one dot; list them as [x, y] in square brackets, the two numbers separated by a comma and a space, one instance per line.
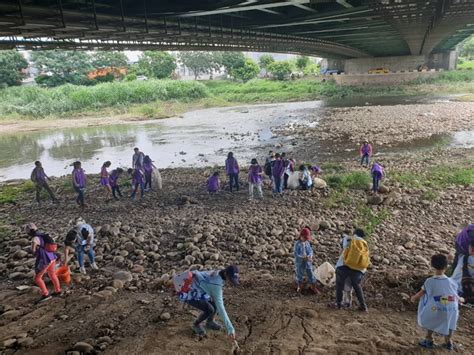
[206, 294]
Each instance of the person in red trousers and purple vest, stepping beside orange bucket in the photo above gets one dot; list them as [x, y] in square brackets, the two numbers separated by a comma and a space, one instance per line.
[45, 261]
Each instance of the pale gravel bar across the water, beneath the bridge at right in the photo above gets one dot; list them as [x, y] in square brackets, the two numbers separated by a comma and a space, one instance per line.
[385, 125]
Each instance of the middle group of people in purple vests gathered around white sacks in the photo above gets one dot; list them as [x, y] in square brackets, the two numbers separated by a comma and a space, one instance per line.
[277, 168]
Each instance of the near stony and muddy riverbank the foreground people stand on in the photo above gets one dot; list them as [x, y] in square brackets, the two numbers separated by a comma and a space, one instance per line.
[182, 227]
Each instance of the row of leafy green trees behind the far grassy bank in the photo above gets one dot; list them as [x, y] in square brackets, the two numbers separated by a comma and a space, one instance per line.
[58, 67]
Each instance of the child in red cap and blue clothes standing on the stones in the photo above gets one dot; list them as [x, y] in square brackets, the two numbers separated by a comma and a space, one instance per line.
[304, 260]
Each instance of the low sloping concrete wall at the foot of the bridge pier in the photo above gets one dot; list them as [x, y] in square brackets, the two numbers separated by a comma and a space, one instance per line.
[381, 79]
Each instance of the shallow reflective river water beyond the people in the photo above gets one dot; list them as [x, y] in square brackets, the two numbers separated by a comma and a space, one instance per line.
[199, 138]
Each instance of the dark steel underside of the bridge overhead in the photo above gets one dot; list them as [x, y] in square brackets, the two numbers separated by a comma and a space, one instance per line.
[329, 28]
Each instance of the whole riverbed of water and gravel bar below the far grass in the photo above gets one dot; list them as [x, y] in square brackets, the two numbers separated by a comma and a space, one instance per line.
[203, 137]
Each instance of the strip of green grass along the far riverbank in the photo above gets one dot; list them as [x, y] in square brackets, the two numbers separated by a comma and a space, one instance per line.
[164, 98]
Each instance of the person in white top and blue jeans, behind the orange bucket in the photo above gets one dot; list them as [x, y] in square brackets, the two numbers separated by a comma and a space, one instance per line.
[81, 239]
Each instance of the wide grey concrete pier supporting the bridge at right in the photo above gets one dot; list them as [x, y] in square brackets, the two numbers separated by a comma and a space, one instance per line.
[437, 61]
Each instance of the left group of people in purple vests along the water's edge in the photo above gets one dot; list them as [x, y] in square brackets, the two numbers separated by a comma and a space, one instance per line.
[140, 174]
